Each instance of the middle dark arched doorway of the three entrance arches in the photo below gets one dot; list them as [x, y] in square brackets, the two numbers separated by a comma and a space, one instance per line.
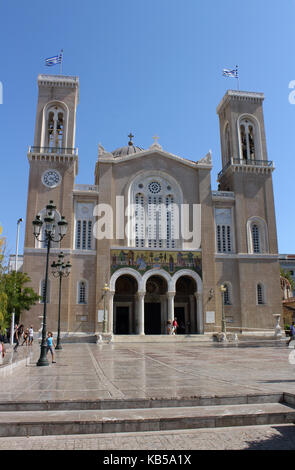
[155, 311]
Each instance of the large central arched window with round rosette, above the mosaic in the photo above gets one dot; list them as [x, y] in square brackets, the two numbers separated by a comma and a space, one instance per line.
[155, 200]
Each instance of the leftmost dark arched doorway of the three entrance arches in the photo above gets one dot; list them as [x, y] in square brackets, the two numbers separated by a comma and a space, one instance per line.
[124, 305]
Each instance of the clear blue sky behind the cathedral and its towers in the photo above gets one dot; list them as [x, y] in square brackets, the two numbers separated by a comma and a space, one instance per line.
[150, 67]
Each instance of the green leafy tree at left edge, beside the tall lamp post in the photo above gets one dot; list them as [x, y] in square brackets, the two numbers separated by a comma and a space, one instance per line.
[19, 296]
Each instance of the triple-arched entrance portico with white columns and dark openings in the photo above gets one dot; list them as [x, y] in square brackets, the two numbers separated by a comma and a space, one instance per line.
[142, 304]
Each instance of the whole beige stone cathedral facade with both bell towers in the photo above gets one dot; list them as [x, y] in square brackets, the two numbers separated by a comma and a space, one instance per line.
[150, 240]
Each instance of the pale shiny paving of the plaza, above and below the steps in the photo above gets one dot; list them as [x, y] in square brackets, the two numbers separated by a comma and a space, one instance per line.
[145, 370]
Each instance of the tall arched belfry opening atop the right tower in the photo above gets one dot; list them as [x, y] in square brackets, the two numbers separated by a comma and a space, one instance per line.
[249, 149]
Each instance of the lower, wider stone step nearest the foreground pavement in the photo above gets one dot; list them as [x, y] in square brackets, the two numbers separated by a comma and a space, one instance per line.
[40, 423]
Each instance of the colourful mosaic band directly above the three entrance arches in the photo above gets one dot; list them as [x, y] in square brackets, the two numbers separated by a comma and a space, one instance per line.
[143, 260]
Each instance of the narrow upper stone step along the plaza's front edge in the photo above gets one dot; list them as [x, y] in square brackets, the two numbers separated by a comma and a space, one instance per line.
[134, 403]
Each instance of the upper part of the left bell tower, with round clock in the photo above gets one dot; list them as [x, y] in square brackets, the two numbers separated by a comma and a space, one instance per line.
[53, 158]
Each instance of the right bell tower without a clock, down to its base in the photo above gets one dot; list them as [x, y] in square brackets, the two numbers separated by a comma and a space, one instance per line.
[247, 174]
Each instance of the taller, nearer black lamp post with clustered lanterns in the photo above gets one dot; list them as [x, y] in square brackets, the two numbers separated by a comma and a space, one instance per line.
[53, 232]
